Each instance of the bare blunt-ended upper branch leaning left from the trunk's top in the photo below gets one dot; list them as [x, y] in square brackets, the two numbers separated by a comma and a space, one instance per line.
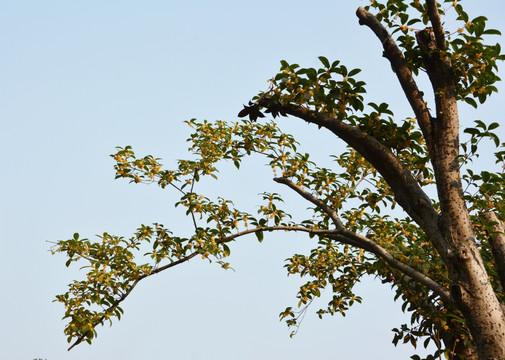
[402, 71]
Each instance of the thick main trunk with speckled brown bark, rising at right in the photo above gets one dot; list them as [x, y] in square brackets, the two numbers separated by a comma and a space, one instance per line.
[471, 290]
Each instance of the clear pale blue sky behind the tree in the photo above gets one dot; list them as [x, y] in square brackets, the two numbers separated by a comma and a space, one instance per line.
[78, 78]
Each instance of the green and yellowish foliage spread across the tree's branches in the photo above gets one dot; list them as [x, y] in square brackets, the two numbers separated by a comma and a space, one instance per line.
[371, 235]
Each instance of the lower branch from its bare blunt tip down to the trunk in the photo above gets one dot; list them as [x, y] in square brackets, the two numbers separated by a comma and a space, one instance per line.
[345, 236]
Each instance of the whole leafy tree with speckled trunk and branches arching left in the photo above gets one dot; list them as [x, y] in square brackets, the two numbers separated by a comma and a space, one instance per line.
[404, 202]
